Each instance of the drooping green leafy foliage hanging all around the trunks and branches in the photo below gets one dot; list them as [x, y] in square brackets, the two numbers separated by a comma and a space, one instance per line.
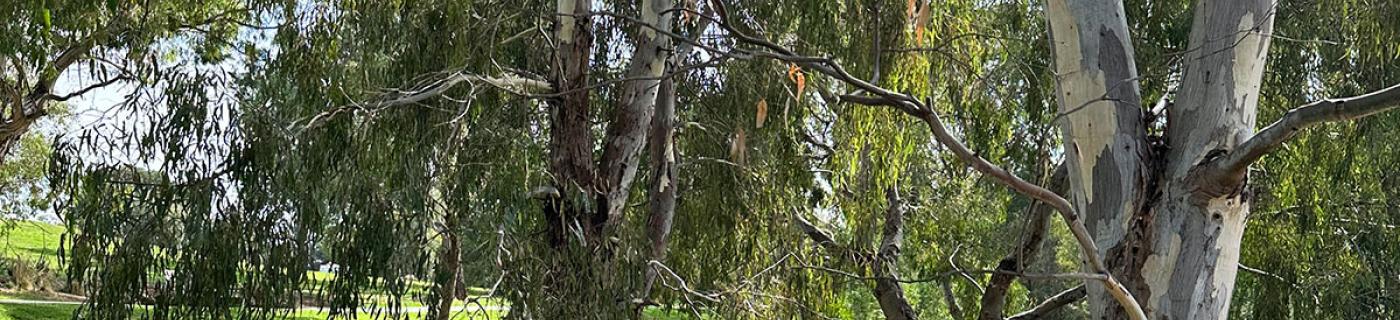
[258, 140]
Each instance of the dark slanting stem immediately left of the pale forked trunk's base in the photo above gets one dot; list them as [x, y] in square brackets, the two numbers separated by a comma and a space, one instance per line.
[1038, 227]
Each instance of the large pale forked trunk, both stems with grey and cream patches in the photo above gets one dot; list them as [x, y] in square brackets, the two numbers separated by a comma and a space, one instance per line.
[1170, 230]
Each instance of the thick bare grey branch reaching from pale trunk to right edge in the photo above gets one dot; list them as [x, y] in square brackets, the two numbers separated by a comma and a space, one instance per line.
[1234, 166]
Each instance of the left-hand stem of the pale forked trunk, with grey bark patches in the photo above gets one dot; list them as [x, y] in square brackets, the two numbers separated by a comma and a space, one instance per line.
[1102, 126]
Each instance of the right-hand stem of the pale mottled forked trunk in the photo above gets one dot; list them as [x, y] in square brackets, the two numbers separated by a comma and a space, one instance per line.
[1199, 223]
